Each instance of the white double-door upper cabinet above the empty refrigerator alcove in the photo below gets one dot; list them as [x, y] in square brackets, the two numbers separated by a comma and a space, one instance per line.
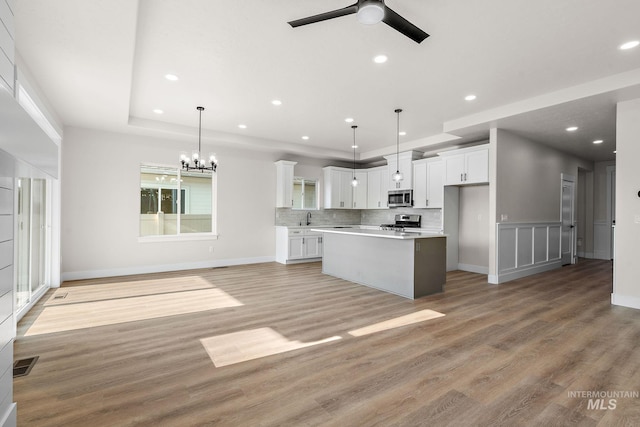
[466, 166]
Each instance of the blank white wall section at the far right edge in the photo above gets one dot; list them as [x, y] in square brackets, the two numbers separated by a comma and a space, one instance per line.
[626, 285]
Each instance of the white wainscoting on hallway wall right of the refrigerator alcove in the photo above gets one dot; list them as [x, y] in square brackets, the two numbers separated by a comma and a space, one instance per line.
[526, 248]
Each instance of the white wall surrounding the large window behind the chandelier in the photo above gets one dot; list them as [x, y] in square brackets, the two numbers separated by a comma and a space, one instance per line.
[100, 203]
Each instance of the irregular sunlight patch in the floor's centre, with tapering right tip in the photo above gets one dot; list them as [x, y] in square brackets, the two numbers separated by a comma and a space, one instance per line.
[242, 346]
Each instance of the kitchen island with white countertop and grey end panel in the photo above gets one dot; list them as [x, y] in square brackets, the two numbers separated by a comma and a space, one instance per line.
[409, 264]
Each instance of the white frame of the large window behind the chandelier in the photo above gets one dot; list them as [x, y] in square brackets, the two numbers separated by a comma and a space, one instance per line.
[178, 237]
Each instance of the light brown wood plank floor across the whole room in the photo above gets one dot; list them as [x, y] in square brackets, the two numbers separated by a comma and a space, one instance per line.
[140, 351]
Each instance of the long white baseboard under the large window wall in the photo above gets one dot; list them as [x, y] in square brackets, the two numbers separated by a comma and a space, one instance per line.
[95, 274]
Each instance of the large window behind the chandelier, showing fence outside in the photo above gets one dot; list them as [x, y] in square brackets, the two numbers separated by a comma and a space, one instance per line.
[175, 202]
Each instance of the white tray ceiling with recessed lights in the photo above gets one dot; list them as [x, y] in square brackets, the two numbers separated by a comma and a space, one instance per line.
[535, 66]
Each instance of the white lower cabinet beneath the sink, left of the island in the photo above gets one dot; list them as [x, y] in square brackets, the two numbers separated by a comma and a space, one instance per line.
[297, 245]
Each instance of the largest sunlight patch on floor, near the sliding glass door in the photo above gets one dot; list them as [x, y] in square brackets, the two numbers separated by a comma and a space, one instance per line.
[79, 315]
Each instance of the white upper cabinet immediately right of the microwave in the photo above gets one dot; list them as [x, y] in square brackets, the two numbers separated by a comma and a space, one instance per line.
[428, 186]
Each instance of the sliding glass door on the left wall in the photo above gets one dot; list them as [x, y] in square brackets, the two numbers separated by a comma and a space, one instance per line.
[31, 239]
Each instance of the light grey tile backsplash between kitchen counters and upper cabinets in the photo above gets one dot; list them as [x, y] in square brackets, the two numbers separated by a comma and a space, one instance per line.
[431, 218]
